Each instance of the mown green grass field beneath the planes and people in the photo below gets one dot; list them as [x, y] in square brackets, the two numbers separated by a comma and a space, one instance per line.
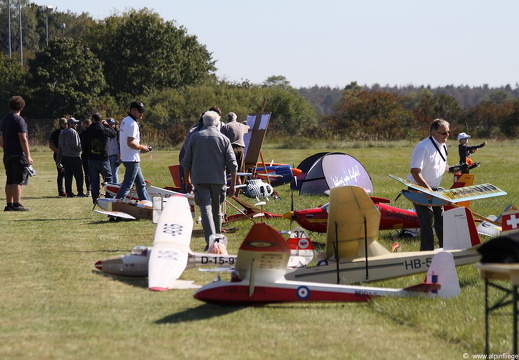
[55, 305]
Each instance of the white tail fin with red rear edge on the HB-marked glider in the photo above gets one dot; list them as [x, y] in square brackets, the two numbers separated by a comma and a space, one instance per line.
[459, 229]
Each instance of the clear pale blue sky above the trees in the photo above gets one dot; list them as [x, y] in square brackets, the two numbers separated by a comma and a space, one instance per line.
[335, 42]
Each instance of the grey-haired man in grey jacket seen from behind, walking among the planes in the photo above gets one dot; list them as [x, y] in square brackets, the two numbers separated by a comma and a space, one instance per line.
[208, 155]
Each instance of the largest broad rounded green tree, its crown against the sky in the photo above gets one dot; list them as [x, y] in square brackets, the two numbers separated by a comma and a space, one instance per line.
[142, 52]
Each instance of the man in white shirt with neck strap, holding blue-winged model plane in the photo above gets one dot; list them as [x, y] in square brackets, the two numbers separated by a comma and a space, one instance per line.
[428, 163]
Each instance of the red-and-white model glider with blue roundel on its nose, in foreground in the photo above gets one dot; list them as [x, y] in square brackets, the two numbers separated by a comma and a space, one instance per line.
[259, 279]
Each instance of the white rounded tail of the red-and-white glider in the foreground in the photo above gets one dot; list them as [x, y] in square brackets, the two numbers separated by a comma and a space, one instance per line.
[441, 279]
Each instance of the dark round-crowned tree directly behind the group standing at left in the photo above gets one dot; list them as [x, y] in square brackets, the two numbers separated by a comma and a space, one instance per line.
[67, 78]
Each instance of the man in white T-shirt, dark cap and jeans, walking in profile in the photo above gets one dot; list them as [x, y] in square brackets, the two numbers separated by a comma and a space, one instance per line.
[130, 147]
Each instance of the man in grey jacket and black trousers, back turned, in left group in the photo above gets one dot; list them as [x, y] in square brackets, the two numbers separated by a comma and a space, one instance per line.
[69, 155]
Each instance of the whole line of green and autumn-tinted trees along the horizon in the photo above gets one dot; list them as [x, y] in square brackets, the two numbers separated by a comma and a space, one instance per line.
[102, 65]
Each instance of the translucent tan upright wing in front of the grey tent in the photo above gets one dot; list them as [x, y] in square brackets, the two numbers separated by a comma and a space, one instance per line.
[352, 220]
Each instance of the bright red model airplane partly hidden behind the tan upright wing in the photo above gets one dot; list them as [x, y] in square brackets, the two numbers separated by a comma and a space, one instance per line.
[316, 219]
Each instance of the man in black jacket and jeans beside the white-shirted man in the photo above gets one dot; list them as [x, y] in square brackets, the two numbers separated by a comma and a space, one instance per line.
[95, 138]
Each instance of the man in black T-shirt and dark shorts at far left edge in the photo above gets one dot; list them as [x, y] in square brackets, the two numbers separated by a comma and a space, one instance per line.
[17, 155]
